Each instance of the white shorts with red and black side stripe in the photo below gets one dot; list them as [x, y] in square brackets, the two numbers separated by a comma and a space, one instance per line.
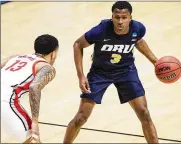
[15, 122]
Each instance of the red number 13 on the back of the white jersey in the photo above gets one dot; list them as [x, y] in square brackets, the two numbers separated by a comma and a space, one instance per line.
[16, 66]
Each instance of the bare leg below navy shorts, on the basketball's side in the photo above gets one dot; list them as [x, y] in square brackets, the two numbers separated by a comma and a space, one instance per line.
[139, 105]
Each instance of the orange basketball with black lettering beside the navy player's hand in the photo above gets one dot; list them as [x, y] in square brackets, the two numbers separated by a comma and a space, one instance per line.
[168, 69]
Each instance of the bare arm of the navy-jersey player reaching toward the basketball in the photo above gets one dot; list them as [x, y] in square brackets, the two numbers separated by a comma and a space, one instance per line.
[142, 46]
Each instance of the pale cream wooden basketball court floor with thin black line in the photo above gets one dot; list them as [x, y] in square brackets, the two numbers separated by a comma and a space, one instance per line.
[22, 22]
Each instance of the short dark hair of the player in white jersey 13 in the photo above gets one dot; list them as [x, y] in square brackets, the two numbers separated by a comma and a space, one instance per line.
[45, 44]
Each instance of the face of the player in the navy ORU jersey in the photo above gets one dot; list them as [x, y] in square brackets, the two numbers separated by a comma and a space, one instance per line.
[121, 20]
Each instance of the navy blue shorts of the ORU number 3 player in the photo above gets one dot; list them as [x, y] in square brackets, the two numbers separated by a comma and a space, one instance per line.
[128, 85]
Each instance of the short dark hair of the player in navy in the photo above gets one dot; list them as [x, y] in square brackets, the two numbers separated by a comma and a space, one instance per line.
[122, 5]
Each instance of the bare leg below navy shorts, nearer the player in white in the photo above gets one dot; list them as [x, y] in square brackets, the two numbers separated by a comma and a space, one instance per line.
[85, 110]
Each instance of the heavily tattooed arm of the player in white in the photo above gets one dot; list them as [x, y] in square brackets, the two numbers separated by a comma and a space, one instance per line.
[42, 78]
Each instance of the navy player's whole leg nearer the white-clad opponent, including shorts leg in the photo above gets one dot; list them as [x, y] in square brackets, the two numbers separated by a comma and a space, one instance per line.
[98, 85]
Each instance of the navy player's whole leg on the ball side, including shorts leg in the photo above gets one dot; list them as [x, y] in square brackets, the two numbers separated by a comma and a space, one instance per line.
[131, 90]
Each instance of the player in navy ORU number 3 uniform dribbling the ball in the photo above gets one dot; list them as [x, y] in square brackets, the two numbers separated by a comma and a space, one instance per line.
[113, 63]
